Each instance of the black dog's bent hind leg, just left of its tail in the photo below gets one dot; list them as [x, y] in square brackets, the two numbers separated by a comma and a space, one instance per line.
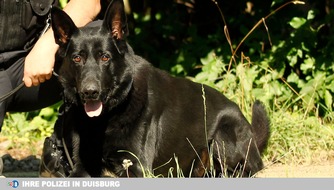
[235, 145]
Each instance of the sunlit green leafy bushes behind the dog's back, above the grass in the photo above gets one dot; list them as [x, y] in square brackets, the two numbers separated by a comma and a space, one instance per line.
[291, 72]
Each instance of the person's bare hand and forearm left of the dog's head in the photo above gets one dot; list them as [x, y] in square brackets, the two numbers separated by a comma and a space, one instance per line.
[40, 61]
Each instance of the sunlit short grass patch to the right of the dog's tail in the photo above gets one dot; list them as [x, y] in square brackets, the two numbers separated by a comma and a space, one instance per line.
[299, 140]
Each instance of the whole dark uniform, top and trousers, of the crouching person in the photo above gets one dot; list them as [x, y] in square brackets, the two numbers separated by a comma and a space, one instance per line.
[21, 23]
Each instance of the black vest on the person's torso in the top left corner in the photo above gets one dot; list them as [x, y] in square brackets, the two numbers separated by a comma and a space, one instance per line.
[21, 22]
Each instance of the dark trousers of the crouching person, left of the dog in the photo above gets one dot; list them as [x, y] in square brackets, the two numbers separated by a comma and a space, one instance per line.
[26, 99]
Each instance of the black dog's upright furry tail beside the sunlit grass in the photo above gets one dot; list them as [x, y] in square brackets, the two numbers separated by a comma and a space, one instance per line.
[260, 125]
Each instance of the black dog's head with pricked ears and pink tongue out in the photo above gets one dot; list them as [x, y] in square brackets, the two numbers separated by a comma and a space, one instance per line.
[94, 71]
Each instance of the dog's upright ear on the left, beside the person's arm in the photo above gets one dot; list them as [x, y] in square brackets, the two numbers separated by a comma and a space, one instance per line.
[62, 25]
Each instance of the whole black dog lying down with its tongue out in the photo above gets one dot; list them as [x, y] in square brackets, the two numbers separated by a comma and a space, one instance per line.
[121, 109]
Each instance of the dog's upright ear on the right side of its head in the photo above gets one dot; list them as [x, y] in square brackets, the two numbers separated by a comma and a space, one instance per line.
[115, 20]
